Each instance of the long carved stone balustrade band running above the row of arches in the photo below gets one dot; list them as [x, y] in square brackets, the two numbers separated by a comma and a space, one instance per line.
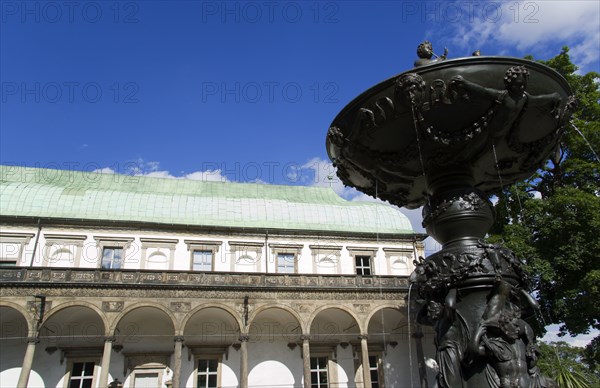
[188, 280]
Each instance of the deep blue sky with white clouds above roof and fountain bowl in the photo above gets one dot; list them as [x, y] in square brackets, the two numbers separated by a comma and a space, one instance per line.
[238, 90]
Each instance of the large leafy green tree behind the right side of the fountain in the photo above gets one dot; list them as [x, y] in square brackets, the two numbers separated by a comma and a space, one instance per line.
[552, 220]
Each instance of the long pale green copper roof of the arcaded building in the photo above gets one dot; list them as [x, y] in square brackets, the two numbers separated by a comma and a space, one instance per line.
[33, 192]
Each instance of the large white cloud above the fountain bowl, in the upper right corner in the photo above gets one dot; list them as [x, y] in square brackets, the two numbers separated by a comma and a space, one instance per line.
[528, 26]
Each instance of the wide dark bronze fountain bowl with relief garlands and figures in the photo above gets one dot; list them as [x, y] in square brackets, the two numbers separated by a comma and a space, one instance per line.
[448, 125]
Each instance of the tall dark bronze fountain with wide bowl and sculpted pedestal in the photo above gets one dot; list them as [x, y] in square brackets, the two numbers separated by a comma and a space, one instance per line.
[446, 136]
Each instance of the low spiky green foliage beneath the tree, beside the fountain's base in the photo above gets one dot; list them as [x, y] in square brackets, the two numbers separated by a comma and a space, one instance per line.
[567, 365]
